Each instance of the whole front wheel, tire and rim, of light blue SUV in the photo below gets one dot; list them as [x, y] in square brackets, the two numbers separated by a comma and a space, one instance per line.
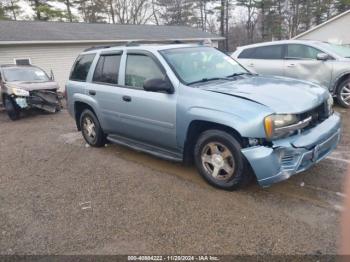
[233, 173]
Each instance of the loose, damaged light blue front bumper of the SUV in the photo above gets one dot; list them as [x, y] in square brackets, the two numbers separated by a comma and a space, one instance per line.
[294, 154]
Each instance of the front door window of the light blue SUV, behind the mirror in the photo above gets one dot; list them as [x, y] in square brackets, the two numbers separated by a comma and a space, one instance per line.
[140, 68]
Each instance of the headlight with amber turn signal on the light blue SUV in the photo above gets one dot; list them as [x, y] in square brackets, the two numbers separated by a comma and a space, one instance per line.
[279, 125]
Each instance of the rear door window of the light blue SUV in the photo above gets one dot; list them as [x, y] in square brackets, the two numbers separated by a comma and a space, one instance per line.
[107, 69]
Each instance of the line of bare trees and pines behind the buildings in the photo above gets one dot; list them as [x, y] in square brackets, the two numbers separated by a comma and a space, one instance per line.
[239, 21]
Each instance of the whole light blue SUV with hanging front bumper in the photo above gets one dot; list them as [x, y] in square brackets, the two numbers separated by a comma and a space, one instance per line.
[193, 103]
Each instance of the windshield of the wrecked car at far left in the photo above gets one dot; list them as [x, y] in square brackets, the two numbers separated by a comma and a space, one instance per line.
[25, 74]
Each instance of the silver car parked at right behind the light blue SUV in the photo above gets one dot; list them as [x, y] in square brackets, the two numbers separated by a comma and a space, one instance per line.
[323, 63]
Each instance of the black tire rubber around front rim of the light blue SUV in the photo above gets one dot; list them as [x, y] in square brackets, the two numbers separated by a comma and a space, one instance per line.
[240, 178]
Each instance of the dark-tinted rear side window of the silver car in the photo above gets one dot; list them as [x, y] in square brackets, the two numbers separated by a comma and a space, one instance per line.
[263, 52]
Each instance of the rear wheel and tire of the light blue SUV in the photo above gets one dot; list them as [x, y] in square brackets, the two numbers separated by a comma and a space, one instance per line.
[91, 129]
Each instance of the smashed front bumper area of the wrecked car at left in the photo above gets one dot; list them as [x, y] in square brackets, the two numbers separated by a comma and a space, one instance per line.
[49, 101]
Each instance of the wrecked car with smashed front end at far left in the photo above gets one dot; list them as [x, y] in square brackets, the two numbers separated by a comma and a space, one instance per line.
[26, 87]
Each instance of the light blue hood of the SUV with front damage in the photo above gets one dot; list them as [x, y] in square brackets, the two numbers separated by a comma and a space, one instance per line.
[282, 95]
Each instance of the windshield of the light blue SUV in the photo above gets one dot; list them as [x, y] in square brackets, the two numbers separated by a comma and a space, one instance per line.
[197, 64]
